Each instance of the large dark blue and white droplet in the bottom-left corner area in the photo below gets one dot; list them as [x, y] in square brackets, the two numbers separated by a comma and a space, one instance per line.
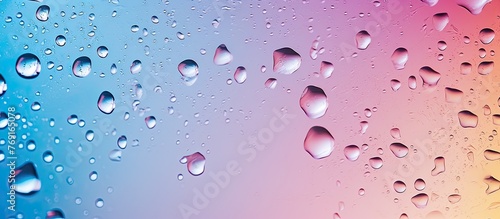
[27, 181]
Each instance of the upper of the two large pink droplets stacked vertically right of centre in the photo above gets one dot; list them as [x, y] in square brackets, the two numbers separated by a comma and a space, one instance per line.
[313, 102]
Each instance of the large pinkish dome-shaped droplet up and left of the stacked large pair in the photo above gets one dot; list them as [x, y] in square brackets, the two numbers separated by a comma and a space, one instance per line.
[286, 61]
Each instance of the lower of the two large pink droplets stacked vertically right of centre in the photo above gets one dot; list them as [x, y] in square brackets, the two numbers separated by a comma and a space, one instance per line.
[319, 143]
